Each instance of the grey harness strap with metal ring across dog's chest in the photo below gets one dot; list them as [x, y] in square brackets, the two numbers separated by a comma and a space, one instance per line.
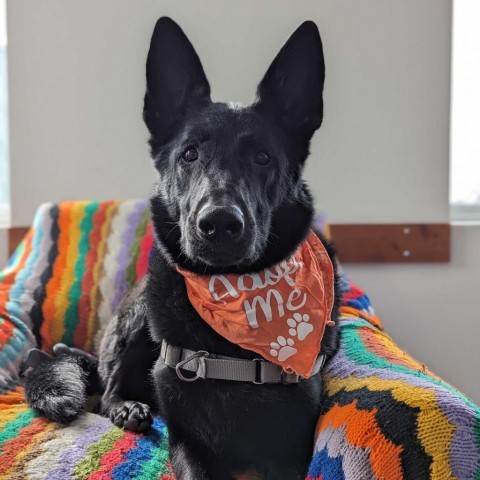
[207, 365]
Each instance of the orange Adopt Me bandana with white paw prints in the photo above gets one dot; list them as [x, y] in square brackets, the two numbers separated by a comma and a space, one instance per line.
[279, 313]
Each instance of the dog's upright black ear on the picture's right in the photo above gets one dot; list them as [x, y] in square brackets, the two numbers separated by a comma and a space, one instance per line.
[293, 85]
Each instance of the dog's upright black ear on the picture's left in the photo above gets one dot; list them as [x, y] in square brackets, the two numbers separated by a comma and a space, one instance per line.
[176, 81]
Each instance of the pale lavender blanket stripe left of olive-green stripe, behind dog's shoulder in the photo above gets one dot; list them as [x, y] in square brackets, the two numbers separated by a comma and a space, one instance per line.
[124, 256]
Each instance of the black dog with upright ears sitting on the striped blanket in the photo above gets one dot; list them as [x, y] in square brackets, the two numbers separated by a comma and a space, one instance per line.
[230, 199]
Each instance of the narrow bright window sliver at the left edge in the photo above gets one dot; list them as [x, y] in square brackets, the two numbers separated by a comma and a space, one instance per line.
[4, 176]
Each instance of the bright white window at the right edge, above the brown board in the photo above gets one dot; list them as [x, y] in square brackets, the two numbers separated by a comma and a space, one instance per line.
[465, 129]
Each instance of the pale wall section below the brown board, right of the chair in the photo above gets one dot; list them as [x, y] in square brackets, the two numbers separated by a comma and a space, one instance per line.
[432, 310]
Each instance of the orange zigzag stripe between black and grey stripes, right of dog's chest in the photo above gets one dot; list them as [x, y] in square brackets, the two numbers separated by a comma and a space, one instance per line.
[362, 431]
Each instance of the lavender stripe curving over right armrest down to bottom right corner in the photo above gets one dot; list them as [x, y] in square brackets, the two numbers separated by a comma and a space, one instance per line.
[453, 407]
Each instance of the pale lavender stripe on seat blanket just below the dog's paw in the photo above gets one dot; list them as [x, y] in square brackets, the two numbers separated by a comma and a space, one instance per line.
[77, 451]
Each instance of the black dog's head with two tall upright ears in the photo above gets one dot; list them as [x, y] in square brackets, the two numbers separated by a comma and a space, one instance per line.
[231, 197]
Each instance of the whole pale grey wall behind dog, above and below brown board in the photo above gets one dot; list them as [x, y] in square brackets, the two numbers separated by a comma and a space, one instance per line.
[77, 80]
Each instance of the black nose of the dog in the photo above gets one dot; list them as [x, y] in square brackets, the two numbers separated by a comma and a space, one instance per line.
[220, 224]
